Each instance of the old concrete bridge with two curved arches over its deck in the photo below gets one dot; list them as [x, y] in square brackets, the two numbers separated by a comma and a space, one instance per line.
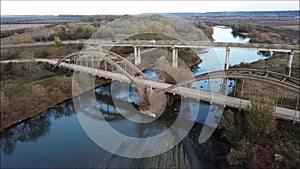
[95, 61]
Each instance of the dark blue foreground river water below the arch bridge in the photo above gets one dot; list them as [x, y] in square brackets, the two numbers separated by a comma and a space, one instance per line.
[56, 139]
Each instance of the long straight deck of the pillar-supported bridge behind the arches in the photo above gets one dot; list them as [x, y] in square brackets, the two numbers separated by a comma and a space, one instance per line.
[170, 43]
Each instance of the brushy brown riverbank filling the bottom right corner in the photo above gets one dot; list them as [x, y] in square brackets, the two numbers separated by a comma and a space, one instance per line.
[258, 140]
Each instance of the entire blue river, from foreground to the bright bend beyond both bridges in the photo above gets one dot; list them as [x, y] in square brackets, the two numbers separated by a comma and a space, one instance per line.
[56, 139]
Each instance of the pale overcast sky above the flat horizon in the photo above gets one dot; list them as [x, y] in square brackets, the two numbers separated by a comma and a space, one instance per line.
[9, 7]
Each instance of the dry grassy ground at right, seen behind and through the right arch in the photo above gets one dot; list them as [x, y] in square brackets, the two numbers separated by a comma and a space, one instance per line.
[254, 89]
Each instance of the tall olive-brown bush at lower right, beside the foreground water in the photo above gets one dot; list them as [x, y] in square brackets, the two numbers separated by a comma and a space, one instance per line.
[253, 135]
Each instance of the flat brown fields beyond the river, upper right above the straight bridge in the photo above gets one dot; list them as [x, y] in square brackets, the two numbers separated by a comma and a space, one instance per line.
[279, 29]
